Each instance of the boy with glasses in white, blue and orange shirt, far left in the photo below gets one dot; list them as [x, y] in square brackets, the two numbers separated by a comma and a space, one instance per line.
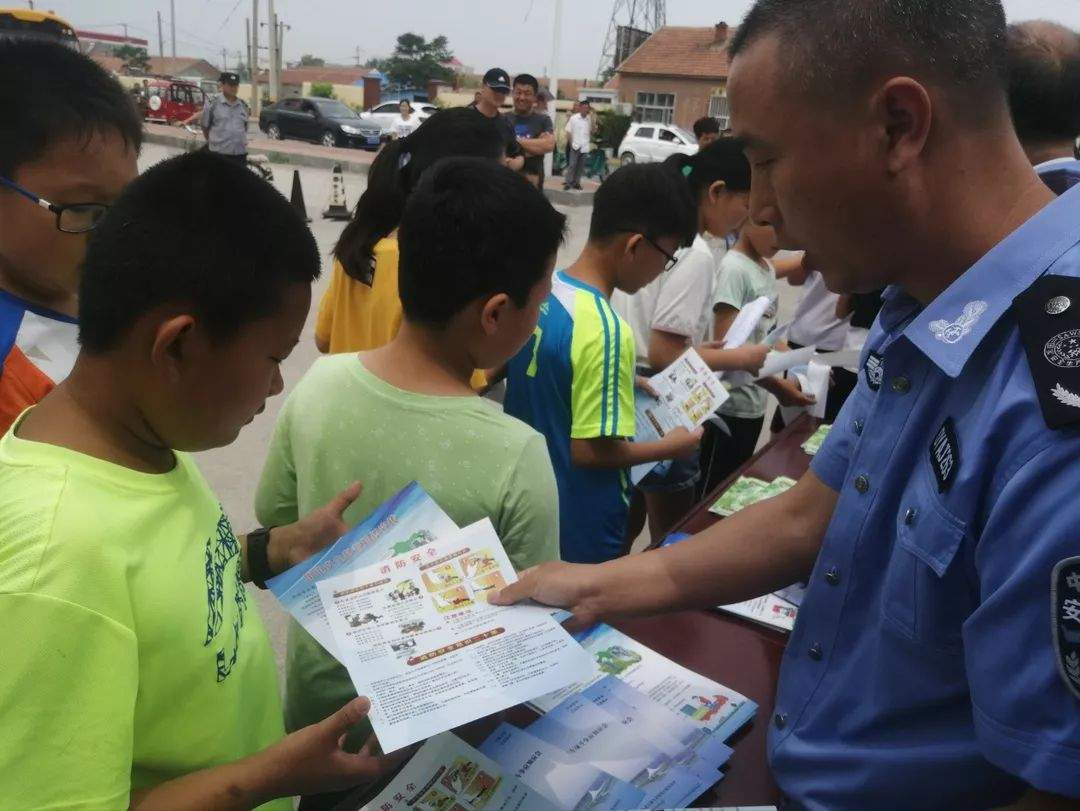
[69, 147]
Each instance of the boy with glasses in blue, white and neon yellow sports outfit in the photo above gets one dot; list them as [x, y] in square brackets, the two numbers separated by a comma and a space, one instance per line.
[575, 381]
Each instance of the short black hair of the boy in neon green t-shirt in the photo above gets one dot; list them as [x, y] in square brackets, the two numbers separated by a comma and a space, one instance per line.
[197, 229]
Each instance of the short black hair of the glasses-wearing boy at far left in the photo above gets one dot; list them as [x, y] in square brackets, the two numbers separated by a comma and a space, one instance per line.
[49, 92]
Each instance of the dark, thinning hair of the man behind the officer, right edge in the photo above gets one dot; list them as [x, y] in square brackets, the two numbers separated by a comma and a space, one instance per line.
[1045, 82]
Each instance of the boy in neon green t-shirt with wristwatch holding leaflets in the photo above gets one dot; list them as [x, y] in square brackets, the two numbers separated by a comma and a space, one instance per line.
[137, 671]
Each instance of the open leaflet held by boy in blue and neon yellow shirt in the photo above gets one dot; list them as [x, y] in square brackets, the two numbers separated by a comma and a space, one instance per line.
[687, 395]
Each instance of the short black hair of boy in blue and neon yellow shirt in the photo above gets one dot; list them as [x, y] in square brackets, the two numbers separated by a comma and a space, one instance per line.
[644, 198]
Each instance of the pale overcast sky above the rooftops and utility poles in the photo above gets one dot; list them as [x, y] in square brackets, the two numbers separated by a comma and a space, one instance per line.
[516, 35]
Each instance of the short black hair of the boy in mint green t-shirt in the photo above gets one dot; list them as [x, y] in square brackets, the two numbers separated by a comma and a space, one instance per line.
[472, 228]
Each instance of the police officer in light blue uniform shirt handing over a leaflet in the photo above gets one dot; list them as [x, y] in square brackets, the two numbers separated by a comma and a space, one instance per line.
[936, 664]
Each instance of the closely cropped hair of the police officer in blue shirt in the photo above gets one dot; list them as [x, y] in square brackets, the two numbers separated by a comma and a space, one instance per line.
[839, 48]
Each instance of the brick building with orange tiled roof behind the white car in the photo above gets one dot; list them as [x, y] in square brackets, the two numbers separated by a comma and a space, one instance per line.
[679, 75]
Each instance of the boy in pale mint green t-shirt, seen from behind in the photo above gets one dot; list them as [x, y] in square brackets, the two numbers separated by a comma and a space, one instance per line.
[478, 248]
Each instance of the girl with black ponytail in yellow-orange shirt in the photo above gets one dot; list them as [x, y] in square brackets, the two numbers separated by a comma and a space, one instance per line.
[361, 309]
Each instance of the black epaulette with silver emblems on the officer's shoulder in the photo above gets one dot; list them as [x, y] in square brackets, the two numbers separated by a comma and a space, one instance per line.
[1049, 317]
